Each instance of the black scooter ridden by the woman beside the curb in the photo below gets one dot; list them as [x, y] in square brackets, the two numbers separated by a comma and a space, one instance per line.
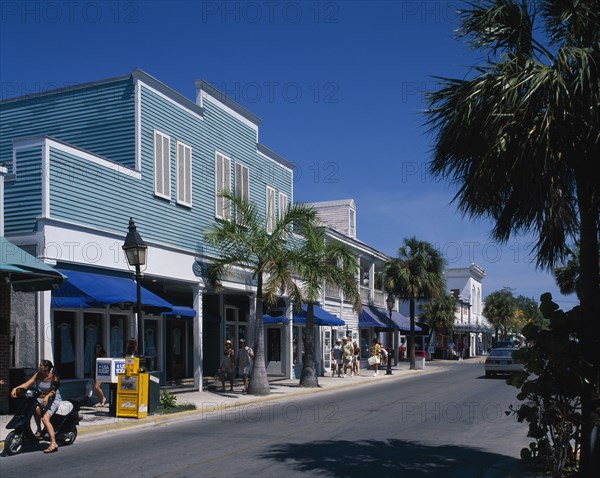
[64, 421]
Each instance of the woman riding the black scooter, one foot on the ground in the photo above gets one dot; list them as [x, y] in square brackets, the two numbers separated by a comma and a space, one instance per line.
[46, 381]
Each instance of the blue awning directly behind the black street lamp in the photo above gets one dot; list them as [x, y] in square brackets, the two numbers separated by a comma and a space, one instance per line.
[89, 290]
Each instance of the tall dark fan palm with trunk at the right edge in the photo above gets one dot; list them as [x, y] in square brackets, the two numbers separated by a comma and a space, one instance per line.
[520, 137]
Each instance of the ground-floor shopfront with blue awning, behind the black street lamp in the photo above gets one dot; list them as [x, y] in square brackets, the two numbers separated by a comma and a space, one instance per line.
[90, 308]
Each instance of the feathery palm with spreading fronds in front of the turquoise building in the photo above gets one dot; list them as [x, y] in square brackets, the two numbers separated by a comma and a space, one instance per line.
[245, 242]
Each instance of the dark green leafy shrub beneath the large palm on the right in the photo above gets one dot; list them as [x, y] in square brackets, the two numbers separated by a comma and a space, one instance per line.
[552, 389]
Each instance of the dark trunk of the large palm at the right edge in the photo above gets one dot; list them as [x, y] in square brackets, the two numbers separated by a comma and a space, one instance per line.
[590, 310]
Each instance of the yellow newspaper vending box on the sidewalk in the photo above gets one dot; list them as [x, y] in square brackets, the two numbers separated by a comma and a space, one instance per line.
[132, 391]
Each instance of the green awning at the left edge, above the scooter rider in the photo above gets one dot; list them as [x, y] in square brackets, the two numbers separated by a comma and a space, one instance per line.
[24, 272]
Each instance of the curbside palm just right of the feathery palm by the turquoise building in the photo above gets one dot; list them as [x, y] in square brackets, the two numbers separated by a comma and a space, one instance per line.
[322, 262]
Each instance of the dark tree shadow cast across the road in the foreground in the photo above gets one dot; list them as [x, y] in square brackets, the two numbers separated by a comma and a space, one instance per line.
[386, 458]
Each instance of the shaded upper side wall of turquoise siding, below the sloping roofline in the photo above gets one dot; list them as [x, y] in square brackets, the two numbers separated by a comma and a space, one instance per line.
[98, 119]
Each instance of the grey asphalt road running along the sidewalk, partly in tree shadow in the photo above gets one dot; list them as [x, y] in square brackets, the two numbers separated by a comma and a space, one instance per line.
[446, 424]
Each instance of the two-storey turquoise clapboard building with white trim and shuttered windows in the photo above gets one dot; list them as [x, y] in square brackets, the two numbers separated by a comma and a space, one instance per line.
[81, 161]
